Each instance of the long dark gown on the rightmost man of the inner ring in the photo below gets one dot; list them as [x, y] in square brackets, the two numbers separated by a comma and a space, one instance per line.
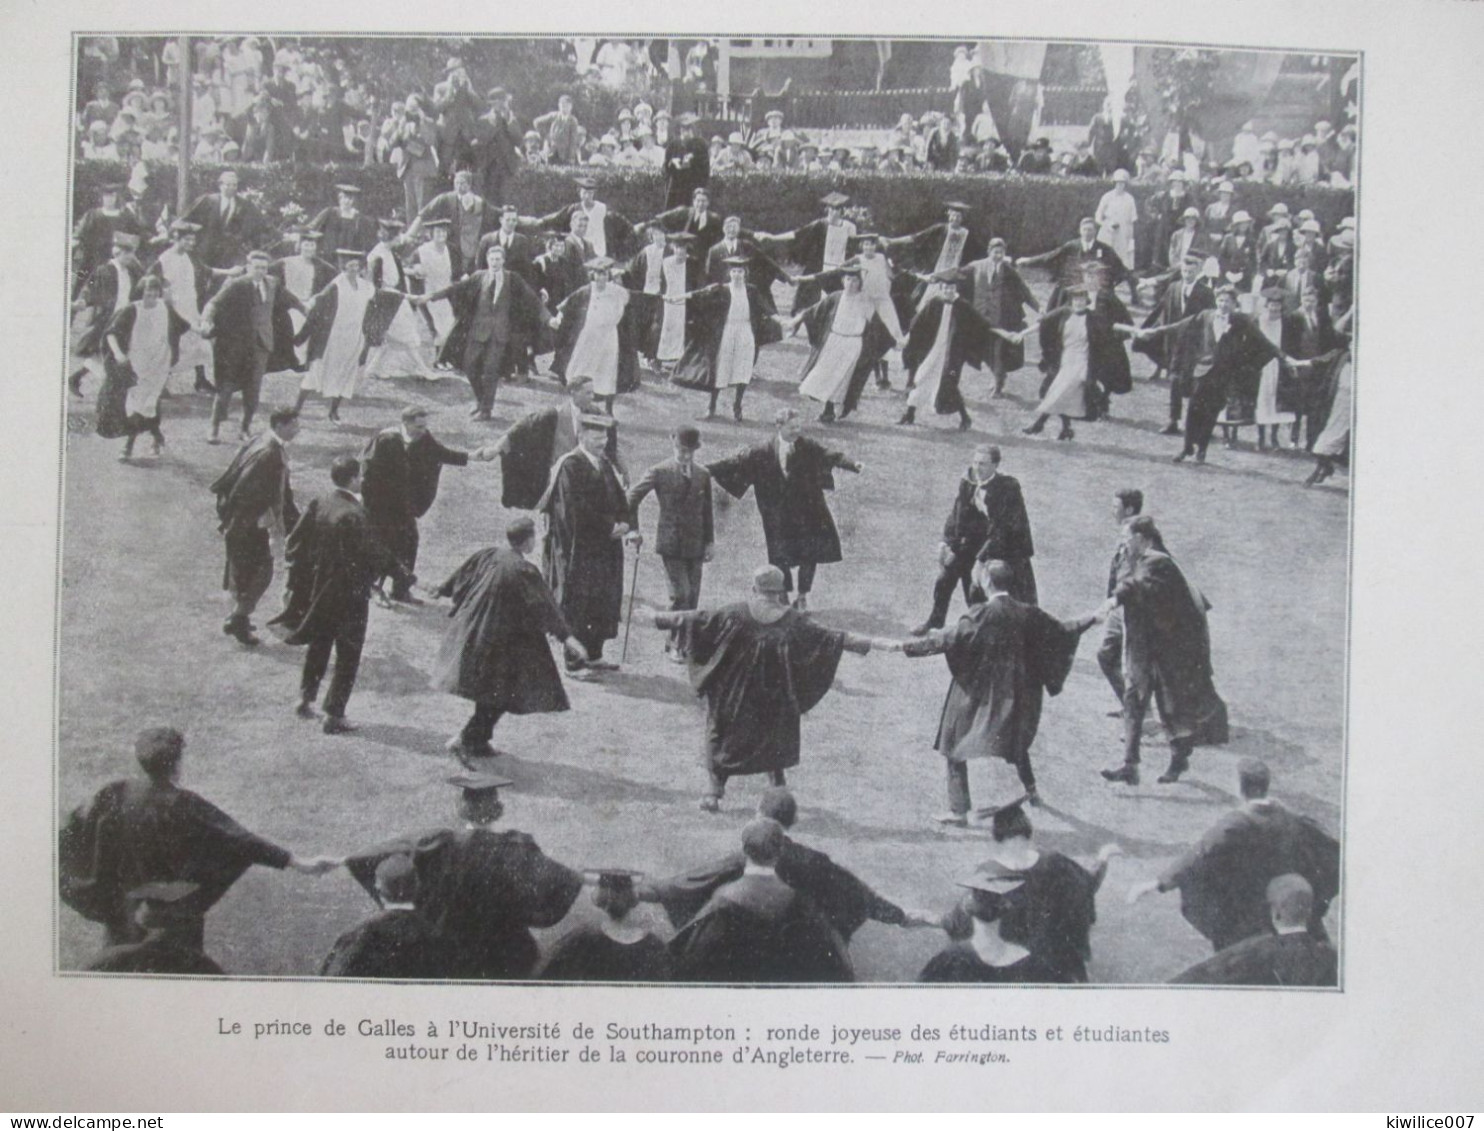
[1167, 649]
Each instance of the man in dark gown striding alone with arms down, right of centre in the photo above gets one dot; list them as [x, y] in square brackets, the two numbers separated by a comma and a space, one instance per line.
[988, 523]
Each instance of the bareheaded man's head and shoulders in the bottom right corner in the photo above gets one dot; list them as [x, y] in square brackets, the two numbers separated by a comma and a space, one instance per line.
[1289, 957]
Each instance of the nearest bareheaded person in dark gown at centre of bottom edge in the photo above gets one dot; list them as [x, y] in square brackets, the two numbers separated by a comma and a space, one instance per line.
[759, 930]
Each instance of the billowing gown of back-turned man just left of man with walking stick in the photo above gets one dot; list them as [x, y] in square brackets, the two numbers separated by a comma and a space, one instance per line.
[496, 651]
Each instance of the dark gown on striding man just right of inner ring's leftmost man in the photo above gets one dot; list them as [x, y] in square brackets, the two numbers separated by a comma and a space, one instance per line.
[333, 562]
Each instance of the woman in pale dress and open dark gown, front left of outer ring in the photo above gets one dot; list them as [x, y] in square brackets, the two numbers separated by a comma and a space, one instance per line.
[142, 345]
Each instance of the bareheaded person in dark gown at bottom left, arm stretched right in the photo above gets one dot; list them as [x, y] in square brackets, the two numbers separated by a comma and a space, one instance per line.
[145, 830]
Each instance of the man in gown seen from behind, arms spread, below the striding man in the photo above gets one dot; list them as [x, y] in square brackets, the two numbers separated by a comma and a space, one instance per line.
[1002, 658]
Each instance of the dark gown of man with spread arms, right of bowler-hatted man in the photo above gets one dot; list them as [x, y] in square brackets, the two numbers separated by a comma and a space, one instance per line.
[798, 525]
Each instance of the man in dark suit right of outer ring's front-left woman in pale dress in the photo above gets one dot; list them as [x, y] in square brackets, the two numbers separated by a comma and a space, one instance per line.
[244, 320]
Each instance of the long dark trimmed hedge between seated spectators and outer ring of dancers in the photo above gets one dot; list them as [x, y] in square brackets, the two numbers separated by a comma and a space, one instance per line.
[1032, 214]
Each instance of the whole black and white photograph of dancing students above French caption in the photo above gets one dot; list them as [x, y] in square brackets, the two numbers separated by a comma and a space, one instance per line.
[709, 511]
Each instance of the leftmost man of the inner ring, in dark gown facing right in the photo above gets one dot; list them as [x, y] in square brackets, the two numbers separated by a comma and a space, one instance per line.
[253, 496]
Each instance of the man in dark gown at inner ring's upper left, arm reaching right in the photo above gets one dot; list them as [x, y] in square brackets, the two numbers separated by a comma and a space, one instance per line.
[398, 485]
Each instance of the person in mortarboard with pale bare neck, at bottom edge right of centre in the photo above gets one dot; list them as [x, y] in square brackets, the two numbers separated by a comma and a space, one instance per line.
[989, 957]
